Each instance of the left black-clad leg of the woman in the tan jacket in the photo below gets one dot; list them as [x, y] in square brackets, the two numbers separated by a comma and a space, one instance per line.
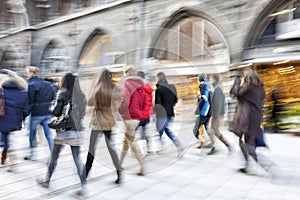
[91, 152]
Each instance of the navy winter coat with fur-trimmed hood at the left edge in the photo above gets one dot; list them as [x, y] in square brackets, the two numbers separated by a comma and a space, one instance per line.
[16, 105]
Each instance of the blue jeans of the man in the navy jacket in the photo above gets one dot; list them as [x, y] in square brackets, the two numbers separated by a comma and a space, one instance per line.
[34, 122]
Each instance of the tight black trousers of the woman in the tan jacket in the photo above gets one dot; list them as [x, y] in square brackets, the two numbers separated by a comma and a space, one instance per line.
[93, 142]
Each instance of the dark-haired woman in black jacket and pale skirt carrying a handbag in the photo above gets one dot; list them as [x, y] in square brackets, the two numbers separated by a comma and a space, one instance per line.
[72, 93]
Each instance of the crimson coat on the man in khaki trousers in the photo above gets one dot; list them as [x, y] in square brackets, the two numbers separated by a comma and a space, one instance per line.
[133, 99]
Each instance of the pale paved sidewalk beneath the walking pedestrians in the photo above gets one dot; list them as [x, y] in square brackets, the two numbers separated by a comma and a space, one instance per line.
[194, 176]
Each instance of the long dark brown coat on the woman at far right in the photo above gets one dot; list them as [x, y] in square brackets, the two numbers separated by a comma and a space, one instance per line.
[249, 113]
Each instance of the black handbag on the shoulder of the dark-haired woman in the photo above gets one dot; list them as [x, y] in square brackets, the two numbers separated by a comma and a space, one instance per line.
[63, 122]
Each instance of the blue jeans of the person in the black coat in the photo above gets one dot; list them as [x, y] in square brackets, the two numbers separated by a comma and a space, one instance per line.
[162, 125]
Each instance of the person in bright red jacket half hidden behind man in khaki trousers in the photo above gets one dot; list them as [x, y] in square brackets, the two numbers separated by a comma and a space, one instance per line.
[147, 110]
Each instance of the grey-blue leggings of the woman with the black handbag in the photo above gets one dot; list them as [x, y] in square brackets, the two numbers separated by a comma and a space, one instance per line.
[53, 162]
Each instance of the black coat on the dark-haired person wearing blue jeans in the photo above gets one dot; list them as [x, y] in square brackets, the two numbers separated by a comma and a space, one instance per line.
[165, 100]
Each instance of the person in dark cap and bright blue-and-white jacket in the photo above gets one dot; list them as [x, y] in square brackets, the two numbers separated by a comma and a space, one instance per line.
[203, 109]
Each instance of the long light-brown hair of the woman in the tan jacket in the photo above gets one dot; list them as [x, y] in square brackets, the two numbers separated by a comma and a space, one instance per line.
[104, 88]
